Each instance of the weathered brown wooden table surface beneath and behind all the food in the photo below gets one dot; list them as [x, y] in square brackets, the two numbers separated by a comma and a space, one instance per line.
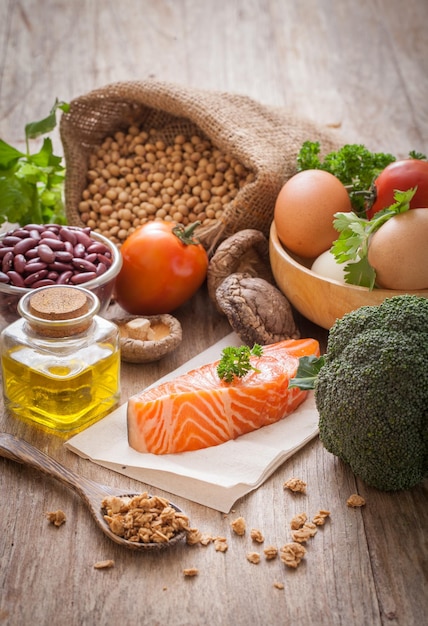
[358, 67]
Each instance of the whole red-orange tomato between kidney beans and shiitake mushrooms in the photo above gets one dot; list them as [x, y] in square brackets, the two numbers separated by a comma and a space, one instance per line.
[163, 266]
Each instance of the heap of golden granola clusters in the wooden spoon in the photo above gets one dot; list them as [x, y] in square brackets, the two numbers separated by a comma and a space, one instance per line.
[143, 518]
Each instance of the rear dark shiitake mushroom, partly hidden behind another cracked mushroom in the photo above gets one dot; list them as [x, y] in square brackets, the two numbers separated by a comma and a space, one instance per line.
[245, 252]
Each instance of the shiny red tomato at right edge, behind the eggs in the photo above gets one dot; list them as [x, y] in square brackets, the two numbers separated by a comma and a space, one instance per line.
[401, 176]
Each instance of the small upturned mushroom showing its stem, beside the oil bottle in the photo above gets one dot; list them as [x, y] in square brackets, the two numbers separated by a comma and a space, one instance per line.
[147, 339]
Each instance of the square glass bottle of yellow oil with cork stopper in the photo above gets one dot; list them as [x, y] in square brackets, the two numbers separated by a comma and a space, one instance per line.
[60, 361]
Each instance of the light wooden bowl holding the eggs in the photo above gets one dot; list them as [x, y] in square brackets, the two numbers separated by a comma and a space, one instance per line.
[321, 300]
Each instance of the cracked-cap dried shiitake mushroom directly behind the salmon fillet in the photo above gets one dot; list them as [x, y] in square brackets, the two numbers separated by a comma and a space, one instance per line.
[257, 311]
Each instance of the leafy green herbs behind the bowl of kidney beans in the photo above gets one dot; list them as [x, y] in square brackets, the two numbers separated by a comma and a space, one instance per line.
[31, 185]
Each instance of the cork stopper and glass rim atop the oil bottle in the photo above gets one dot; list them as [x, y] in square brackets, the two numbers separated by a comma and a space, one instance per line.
[59, 311]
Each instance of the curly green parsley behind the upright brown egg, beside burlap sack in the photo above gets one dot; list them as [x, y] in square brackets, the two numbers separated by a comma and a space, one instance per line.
[353, 164]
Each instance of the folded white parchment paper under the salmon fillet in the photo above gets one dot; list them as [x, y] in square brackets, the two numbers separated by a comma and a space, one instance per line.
[215, 477]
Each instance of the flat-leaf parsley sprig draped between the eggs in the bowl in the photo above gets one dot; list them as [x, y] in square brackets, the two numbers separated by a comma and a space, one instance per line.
[352, 245]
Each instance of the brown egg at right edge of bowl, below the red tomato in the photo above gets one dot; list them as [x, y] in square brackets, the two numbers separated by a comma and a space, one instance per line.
[398, 251]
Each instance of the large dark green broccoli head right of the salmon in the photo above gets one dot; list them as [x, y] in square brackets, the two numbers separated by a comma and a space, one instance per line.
[372, 392]
